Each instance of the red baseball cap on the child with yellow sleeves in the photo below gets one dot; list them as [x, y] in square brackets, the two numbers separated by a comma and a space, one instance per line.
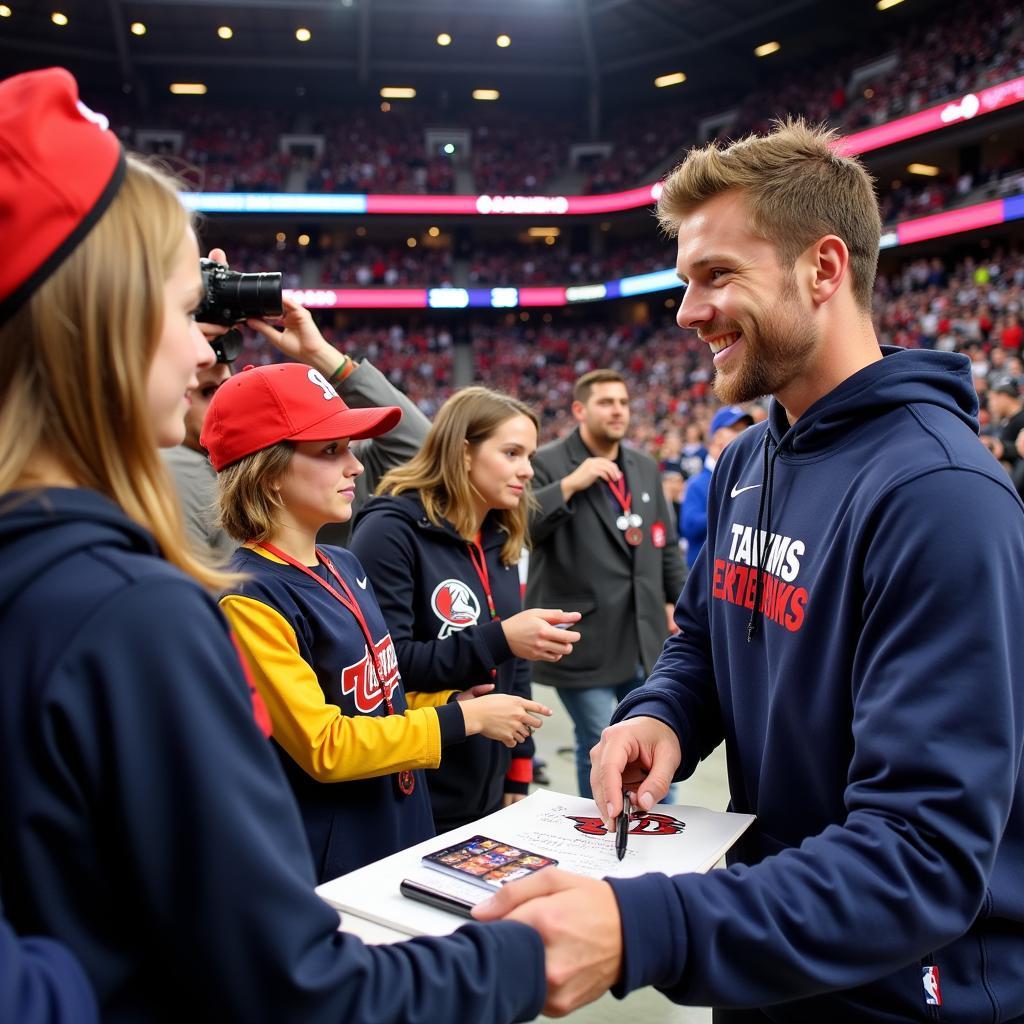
[287, 402]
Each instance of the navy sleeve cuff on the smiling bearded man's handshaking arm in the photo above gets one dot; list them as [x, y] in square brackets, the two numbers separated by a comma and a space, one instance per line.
[654, 933]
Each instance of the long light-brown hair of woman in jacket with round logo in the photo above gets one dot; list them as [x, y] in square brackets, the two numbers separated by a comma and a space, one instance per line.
[439, 472]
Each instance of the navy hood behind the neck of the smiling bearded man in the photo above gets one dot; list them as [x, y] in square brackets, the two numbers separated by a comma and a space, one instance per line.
[903, 377]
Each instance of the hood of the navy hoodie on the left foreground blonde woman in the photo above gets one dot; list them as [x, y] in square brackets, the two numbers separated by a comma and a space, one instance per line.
[40, 529]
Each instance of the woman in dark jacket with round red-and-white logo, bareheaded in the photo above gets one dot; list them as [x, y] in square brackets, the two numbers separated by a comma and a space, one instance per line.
[443, 545]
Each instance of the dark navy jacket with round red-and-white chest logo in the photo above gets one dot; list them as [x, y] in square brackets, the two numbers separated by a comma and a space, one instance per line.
[437, 611]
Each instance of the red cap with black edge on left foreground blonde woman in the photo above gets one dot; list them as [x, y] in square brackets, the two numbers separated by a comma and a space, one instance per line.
[61, 166]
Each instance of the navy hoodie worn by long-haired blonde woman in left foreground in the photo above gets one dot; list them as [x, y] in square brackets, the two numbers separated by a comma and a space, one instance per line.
[146, 823]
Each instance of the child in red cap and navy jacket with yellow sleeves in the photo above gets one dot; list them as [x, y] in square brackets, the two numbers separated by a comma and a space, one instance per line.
[352, 741]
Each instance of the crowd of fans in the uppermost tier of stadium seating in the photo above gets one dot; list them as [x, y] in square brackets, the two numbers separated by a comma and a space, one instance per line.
[935, 59]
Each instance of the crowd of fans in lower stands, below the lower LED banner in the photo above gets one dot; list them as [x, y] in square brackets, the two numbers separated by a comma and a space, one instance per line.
[975, 307]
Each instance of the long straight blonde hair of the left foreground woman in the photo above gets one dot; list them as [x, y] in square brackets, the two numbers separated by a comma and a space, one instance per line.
[75, 359]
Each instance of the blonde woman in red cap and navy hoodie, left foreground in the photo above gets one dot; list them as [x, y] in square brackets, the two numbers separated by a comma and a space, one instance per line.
[144, 819]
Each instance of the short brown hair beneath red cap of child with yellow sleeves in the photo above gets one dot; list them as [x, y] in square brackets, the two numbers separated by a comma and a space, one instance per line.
[246, 496]
